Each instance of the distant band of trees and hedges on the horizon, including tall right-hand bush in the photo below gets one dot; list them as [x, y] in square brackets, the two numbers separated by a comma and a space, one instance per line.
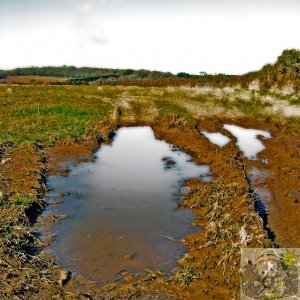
[285, 71]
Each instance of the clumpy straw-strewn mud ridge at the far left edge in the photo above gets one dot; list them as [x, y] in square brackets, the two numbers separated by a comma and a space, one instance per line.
[22, 187]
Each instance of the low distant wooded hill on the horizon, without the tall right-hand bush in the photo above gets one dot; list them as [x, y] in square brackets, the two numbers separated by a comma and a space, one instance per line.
[86, 75]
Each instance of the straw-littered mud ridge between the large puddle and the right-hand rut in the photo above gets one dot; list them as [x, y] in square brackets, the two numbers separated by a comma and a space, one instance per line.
[224, 209]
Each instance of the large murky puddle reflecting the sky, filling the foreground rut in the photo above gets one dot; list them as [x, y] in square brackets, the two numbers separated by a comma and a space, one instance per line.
[122, 208]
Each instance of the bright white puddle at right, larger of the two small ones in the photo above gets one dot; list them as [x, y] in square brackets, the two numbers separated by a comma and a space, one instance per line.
[247, 139]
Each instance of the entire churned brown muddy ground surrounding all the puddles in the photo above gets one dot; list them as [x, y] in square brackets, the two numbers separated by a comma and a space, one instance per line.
[224, 208]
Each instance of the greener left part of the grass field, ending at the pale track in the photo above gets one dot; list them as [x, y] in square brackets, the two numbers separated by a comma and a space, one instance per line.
[47, 114]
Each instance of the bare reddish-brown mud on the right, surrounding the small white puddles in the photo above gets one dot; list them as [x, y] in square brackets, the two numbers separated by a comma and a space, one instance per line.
[277, 176]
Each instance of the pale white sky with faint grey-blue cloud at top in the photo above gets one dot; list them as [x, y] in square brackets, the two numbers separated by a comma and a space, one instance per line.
[214, 36]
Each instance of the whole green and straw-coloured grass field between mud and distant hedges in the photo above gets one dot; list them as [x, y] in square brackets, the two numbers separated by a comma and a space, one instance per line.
[50, 113]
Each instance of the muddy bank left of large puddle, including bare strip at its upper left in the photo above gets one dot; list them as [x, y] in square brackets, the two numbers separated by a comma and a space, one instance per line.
[23, 172]
